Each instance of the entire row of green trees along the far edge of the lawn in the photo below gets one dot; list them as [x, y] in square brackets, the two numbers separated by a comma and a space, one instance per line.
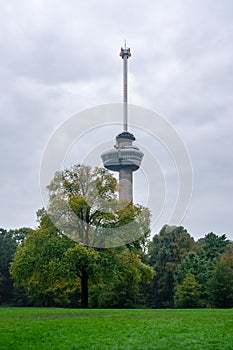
[105, 258]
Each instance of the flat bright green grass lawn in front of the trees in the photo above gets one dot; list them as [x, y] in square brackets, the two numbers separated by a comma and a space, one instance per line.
[53, 328]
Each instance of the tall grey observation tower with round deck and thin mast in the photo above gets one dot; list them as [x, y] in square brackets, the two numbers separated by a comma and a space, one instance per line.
[124, 158]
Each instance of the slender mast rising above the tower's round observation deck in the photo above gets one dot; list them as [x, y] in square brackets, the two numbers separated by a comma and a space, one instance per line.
[125, 54]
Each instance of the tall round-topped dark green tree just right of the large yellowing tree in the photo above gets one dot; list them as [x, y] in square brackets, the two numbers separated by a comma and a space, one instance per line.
[166, 251]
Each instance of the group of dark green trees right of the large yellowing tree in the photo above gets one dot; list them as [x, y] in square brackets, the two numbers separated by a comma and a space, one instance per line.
[189, 273]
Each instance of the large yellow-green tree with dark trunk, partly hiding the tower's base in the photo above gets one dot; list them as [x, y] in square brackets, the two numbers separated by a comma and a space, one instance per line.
[83, 205]
